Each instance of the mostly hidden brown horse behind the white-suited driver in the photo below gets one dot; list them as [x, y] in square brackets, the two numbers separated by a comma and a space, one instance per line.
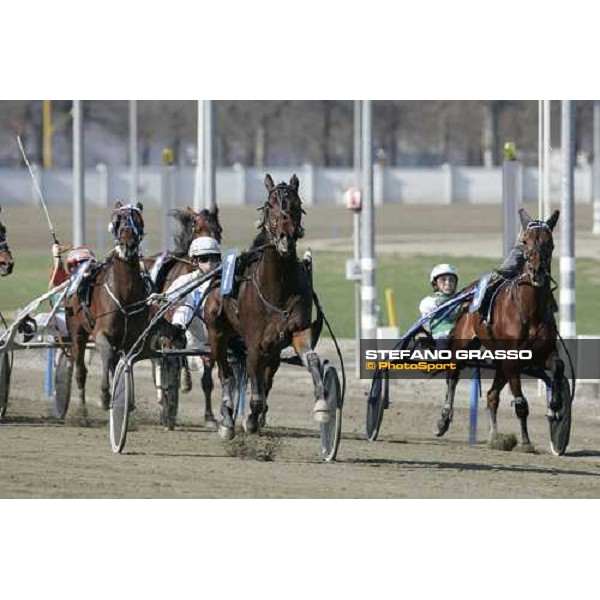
[192, 224]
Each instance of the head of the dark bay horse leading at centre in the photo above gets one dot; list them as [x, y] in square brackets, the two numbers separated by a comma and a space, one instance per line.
[282, 214]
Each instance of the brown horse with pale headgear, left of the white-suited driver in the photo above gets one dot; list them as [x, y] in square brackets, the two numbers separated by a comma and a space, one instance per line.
[116, 312]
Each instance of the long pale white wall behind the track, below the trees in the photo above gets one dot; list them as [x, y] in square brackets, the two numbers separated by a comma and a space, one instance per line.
[318, 185]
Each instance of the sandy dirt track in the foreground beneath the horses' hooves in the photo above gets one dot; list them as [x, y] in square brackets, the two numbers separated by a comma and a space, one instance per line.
[43, 458]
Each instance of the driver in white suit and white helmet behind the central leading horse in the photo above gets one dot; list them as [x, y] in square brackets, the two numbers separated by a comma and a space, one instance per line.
[205, 255]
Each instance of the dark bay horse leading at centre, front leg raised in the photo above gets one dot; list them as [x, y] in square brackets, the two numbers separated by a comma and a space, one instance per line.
[271, 309]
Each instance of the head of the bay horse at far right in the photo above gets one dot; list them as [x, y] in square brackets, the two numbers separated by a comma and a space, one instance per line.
[537, 247]
